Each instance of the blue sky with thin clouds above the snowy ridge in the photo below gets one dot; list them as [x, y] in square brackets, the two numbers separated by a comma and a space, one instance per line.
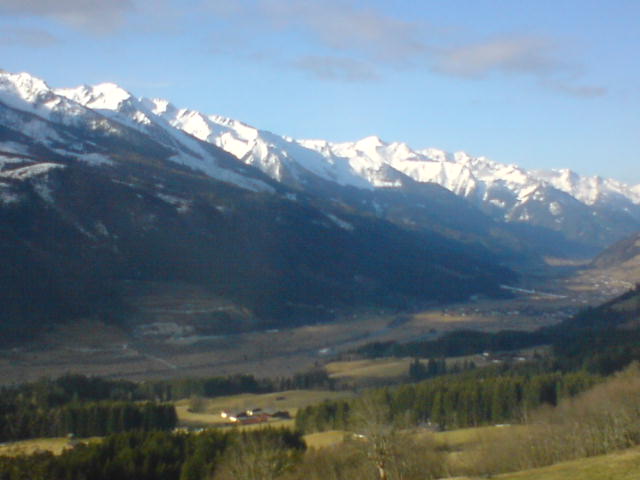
[544, 84]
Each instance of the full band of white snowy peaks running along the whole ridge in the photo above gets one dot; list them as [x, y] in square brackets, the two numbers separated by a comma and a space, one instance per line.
[592, 211]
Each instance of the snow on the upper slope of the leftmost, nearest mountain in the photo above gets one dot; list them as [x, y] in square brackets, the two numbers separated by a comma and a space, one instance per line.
[107, 108]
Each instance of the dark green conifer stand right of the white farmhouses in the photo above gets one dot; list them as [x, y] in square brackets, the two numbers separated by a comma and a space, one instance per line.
[469, 399]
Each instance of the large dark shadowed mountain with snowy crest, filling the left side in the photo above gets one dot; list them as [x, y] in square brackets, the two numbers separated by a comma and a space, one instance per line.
[98, 188]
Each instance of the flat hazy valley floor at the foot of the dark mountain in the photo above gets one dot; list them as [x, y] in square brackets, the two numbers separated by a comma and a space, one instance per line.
[163, 336]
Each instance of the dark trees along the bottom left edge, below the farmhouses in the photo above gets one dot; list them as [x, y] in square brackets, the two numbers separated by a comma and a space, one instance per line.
[163, 456]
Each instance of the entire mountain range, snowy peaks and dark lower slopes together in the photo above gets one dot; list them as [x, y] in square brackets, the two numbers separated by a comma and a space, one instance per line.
[98, 187]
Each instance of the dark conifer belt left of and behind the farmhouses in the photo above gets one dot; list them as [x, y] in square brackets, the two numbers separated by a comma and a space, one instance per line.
[92, 406]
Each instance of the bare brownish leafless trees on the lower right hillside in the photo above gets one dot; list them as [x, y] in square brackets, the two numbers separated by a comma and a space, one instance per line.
[598, 421]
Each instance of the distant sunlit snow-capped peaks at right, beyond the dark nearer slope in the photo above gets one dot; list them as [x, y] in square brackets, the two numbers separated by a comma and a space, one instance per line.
[559, 200]
